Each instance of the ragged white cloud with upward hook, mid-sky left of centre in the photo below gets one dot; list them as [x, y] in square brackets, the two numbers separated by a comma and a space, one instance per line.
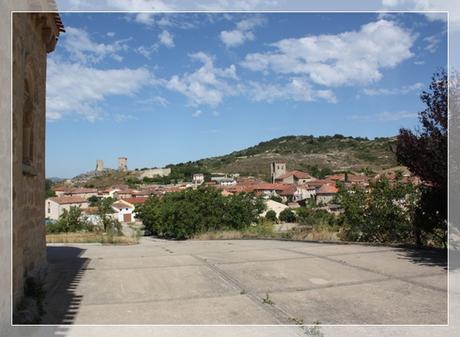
[208, 85]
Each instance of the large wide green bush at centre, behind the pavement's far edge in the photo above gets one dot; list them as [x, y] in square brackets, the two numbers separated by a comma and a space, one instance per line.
[181, 215]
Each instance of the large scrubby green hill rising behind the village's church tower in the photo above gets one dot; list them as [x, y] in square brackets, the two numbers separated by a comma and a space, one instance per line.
[335, 153]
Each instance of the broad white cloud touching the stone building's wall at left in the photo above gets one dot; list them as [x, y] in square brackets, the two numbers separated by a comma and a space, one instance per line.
[77, 89]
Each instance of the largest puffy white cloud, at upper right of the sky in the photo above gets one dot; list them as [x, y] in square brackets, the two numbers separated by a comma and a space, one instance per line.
[355, 57]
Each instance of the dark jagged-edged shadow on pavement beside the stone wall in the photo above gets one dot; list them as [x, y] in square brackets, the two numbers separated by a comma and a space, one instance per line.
[65, 271]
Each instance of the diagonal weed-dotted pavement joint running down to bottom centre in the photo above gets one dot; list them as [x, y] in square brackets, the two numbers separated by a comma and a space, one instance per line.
[280, 315]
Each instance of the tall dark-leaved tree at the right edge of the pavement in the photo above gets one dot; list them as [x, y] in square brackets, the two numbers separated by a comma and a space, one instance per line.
[424, 152]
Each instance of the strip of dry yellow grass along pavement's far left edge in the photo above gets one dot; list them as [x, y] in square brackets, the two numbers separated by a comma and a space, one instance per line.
[91, 237]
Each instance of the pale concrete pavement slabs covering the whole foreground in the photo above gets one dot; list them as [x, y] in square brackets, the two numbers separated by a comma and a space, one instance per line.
[244, 282]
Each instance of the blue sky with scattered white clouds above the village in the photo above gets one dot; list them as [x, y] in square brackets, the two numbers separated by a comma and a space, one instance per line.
[168, 88]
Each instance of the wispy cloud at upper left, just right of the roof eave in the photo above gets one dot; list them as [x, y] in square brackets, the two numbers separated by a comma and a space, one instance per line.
[82, 48]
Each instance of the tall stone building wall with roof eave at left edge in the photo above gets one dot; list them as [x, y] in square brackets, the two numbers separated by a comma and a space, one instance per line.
[34, 35]
